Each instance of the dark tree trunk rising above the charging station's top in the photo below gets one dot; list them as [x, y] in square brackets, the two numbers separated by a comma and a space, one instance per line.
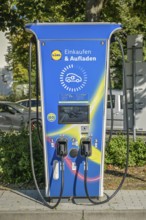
[93, 8]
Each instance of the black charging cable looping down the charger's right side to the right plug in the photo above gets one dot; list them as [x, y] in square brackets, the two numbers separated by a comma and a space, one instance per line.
[127, 152]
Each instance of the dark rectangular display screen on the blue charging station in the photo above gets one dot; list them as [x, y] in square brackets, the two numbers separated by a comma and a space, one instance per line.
[73, 114]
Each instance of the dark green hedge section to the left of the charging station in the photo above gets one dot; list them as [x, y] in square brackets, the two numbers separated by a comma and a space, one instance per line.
[15, 166]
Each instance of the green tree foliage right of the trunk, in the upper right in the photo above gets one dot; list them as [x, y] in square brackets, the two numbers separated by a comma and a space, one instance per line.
[133, 19]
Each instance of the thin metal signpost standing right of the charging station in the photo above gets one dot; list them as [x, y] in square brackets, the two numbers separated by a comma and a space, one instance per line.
[133, 89]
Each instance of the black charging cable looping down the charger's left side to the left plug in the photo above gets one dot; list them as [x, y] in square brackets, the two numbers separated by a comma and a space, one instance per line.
[31, 147]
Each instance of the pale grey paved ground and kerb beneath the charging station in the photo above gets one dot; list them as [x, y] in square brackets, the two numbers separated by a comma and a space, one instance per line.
[26, 205]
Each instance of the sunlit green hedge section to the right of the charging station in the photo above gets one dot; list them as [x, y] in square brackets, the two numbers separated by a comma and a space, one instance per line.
[115, 153]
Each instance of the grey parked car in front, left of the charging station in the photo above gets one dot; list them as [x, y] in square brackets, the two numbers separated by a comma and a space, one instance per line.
[14, 116]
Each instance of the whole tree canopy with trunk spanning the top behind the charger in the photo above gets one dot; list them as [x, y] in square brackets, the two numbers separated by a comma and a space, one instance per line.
[14, 14]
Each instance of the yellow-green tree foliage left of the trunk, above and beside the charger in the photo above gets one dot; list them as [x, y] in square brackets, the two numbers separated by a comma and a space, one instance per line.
[15, 14]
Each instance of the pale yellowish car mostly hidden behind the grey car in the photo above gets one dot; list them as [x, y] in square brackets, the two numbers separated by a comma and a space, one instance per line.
[25, 103]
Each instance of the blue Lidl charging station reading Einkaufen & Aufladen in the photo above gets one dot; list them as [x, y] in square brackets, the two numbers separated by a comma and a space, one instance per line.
[73, 61]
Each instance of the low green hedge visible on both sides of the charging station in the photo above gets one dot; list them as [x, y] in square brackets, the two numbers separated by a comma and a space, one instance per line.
[15, 164]
